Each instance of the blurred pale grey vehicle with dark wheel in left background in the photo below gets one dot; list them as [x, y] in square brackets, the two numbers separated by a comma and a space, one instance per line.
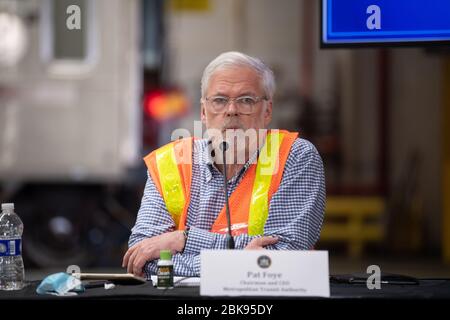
[70, 125]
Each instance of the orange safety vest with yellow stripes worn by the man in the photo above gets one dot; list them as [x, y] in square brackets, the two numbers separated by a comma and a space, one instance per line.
[171, 170]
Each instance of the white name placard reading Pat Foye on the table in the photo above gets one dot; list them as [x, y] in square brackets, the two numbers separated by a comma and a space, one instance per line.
[264, 273]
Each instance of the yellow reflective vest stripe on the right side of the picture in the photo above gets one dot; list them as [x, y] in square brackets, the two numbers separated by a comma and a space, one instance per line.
[268, 162]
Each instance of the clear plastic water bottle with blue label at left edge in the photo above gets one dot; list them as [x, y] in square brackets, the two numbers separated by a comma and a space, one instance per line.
[12, 273]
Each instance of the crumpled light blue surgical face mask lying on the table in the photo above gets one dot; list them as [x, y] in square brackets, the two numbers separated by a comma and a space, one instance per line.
[60, 283]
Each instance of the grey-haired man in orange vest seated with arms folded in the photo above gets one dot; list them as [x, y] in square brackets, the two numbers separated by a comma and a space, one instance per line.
[275, 179]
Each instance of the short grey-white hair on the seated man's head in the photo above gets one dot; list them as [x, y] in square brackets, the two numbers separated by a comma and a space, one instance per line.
[233, 59]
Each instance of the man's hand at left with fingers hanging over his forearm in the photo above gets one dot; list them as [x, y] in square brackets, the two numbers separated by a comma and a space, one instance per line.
[148, 249]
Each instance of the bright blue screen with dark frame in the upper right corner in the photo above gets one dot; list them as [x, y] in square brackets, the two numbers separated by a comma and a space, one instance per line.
[373, 21]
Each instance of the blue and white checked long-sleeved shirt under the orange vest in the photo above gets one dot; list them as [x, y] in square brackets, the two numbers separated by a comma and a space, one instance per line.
[295, 210]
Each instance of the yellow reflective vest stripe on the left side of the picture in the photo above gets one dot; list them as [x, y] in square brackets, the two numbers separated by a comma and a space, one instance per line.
[170, 179]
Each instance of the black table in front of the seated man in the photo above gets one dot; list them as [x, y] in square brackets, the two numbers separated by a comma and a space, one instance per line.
[344, 296]
